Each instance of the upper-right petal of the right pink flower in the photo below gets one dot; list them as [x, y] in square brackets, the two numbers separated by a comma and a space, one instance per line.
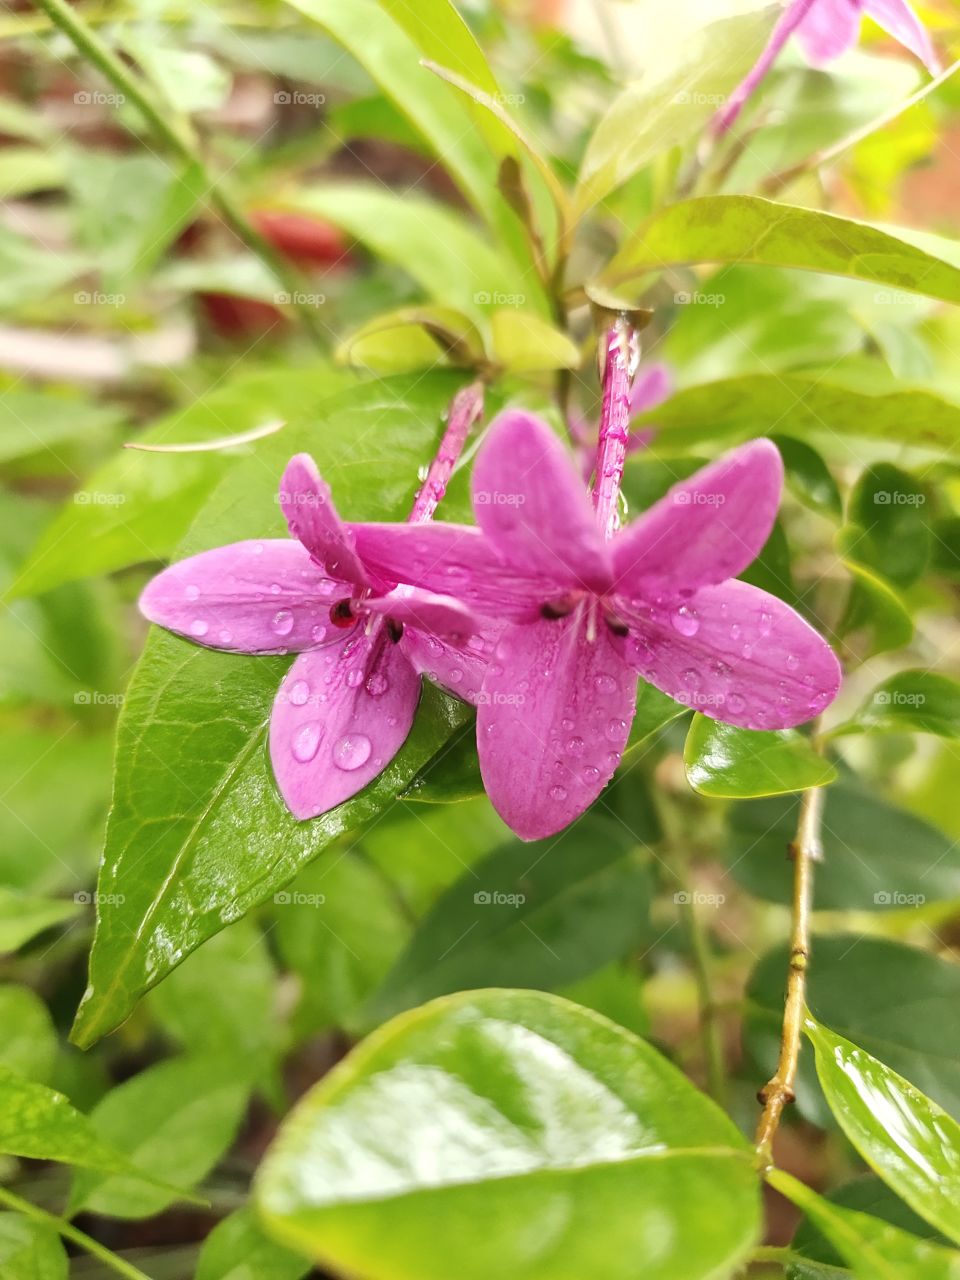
[705, 531]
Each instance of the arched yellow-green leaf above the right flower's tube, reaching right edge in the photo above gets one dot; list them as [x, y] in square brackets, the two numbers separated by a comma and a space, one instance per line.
[751, 230]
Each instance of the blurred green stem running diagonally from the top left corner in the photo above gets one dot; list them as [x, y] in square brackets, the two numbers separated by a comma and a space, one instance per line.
[182, 145]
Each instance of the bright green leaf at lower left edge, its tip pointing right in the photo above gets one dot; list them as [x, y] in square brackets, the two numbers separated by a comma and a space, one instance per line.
[39, 1124]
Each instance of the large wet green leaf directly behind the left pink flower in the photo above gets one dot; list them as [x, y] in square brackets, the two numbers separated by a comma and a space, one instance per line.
[199, 834]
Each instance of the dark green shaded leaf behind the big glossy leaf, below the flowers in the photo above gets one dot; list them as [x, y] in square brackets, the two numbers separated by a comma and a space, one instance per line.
[538, 915]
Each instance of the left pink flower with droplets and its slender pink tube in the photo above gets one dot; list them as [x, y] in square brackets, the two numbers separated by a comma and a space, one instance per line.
[348, 703]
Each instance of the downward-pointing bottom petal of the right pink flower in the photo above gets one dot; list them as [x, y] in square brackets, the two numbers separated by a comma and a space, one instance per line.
[554, 719]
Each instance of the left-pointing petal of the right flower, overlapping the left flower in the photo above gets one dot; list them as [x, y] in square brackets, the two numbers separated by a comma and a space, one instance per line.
[454, 559]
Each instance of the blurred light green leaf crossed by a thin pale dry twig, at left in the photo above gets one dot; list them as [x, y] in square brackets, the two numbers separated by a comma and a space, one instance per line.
[139, 506]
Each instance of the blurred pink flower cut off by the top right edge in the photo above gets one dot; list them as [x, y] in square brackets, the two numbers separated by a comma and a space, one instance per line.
[828, 29]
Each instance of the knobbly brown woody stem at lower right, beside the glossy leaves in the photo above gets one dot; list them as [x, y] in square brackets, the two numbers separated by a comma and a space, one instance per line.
[806, 851]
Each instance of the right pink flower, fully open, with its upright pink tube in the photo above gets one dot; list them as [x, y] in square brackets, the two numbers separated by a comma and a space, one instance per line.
[588, 609]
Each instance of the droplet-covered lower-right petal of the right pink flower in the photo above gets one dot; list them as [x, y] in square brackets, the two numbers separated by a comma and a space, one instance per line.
[738, 655]
